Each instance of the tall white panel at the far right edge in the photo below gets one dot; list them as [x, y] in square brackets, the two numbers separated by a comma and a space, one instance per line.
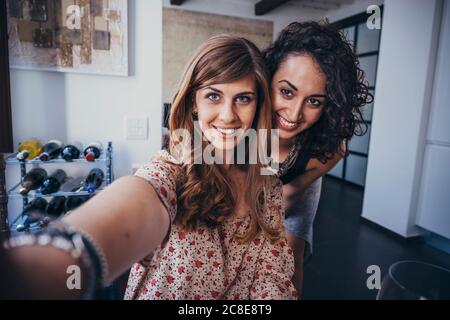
[434, 202]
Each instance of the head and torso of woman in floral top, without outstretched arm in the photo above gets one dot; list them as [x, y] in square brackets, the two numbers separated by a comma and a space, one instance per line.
[222, 244]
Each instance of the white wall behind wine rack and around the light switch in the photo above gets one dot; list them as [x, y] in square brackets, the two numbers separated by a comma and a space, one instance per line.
[84, 107]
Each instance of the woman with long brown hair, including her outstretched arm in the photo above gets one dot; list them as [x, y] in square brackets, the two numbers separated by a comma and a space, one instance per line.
[194, 236]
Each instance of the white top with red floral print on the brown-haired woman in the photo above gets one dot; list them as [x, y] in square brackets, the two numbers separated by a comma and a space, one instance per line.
[209, 263]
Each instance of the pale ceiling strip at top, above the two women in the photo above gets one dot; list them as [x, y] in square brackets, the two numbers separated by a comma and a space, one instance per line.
[280, 16]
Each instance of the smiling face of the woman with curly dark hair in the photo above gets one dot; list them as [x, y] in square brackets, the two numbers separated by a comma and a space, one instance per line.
[298, 95]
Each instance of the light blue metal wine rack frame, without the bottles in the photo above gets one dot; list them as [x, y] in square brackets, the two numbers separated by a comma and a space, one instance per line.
[105, 160]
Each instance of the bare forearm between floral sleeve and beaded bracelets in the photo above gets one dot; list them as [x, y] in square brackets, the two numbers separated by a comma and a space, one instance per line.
[127, 220]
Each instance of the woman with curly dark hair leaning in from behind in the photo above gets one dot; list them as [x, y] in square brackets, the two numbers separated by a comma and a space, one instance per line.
[317, 91]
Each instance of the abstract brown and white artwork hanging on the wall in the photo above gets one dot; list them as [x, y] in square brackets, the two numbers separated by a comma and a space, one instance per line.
[84, 36]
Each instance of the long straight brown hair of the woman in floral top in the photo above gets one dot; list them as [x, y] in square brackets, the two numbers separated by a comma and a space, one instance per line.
[207, 195]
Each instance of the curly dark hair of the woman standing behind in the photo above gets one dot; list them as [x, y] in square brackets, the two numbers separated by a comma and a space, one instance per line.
[346, 89]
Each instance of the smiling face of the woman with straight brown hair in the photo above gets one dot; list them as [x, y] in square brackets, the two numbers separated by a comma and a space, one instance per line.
[226, 111]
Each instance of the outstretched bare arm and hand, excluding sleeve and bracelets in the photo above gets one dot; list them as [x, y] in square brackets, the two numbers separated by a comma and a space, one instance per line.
[127, 220]
